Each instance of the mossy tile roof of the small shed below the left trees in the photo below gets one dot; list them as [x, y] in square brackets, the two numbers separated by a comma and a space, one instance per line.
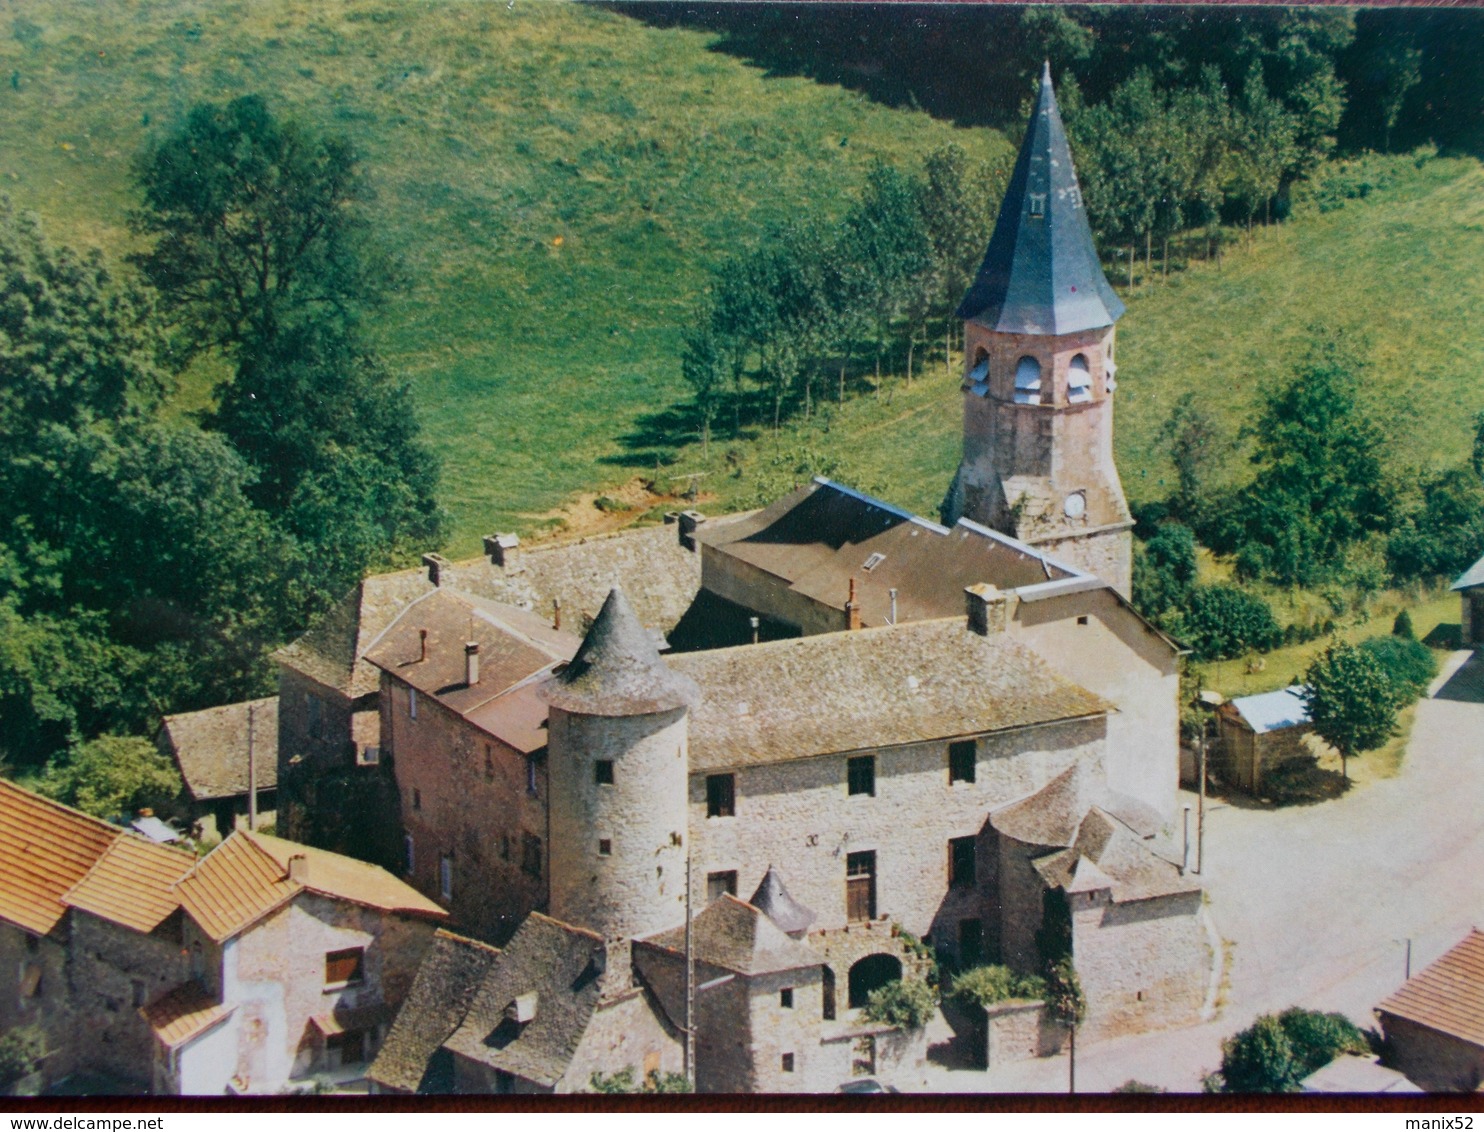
[211, 748]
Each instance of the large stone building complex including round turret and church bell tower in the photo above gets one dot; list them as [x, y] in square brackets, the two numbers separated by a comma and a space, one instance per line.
[884, 728]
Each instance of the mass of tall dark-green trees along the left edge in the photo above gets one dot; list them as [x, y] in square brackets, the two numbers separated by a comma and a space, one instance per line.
[149, 559]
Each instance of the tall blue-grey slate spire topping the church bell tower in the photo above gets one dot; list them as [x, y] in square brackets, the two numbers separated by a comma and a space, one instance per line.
[1041, 274]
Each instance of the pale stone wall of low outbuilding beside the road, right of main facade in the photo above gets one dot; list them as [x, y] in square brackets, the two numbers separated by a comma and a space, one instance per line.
[1143, 964]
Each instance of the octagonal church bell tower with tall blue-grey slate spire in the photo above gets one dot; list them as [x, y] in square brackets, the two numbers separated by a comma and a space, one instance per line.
[1038, 389]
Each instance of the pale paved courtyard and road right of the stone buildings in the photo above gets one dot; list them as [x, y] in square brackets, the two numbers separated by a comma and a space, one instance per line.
[1317, 903]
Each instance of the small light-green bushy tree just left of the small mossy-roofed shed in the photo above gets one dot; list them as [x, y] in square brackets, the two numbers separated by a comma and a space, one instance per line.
[115, 775]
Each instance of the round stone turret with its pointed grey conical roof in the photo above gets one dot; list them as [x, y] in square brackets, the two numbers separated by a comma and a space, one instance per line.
[618, 769]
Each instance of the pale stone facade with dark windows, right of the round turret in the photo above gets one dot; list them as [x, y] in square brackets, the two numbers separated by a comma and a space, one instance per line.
[801, 818]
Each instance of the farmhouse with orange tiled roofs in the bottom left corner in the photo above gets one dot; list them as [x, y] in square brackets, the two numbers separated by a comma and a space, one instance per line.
[259, 968]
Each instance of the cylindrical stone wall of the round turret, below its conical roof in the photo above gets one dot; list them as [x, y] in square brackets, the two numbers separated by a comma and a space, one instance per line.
[637, 888]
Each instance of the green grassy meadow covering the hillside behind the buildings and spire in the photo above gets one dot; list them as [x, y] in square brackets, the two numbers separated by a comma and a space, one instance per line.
[560, 182]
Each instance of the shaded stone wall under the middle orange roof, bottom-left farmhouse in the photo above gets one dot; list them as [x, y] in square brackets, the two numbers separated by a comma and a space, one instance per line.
[115, 973]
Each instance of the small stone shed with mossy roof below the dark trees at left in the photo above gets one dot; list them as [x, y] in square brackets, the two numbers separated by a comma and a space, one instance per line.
[222, 753]
